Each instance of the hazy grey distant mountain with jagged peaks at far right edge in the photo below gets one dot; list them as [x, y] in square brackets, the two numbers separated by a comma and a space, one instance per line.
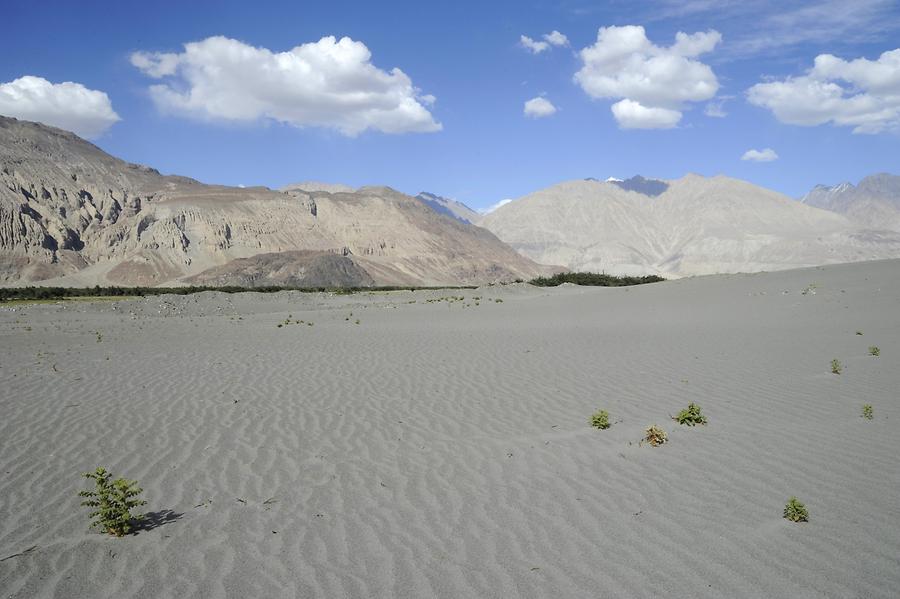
[874, 203]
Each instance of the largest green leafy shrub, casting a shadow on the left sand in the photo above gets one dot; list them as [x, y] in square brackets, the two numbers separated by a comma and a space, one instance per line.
[113, 501]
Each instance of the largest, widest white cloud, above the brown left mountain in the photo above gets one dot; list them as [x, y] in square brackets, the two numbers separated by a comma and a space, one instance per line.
[330, 83]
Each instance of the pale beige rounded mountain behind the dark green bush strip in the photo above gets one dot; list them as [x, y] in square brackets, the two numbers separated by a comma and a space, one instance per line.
[694, 226]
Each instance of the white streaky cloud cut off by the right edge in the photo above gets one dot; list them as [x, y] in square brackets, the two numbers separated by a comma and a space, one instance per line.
[863, 94]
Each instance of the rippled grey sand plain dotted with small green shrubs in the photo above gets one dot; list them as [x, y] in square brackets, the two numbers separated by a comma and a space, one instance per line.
[441, 449]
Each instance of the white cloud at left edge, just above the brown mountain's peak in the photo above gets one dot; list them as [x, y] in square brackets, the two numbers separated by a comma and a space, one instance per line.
[67, 105]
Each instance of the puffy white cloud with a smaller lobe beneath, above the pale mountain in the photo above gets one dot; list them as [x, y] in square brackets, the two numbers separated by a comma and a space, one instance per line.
[654, 83]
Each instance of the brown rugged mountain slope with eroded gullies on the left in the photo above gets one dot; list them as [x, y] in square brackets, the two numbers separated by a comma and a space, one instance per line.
[72, 214]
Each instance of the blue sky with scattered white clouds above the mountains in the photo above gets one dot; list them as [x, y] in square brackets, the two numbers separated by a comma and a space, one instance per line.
[453, 121]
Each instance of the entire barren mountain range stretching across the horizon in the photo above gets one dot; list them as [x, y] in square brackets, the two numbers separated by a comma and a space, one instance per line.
[70, 214]
